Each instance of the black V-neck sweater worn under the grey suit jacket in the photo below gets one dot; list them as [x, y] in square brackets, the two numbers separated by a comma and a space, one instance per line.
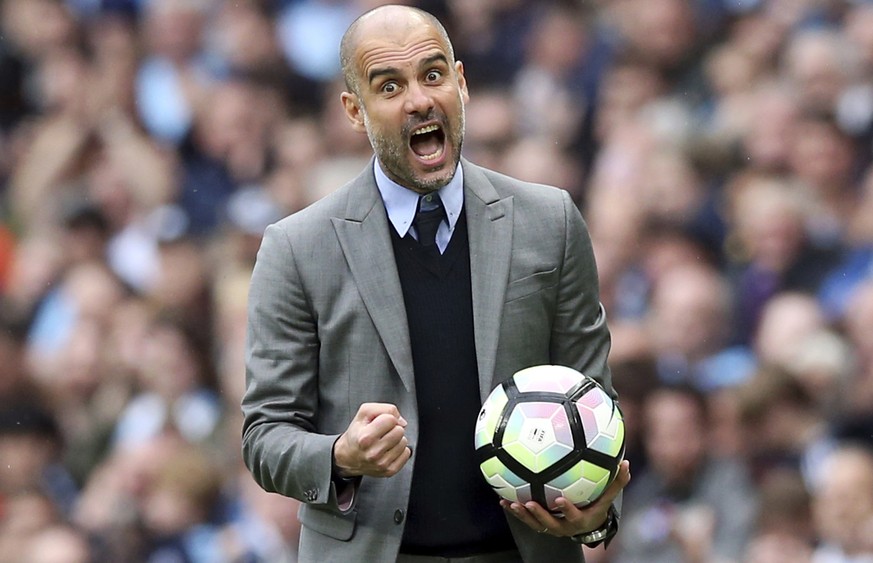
[452, 510]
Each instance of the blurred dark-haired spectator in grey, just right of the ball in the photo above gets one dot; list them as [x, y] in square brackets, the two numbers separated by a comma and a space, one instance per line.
[687, 505]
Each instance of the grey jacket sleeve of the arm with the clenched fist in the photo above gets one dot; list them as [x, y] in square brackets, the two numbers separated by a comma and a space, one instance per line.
[280, 443]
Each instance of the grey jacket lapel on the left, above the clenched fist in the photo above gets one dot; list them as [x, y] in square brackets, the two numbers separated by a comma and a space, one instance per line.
[365, 240]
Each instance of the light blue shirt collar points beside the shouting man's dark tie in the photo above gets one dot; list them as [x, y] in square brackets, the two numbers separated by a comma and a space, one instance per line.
[402, 203]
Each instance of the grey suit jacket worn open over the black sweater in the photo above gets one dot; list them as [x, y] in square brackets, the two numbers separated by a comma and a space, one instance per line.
[328, 331]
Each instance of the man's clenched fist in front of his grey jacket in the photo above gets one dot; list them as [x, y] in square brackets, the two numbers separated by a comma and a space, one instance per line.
[374, 444]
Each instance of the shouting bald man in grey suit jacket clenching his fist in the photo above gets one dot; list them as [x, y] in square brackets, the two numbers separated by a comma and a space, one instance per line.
[373, 341]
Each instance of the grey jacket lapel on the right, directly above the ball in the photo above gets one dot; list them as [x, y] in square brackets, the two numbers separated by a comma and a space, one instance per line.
[489, 223]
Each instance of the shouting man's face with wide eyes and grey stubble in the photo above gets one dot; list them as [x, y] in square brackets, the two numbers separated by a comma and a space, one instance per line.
[410, 102]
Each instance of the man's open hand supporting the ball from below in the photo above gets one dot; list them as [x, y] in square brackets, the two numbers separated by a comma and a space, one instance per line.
[572, 520]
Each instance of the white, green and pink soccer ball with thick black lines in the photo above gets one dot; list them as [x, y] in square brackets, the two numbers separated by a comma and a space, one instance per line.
[549, 431]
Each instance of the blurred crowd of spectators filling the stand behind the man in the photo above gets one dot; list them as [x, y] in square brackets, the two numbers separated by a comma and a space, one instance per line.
[720, 151]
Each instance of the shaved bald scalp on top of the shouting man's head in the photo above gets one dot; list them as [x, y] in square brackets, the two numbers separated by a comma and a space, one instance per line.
[374, 23]
